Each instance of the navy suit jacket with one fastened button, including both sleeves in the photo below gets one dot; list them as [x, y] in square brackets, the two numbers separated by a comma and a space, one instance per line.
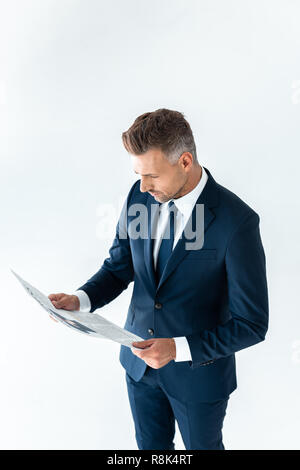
[216, 296]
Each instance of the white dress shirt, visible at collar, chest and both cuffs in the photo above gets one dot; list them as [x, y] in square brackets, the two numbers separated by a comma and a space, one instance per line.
[185, 205]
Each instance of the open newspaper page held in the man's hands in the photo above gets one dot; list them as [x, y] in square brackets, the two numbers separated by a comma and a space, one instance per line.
[88, 323]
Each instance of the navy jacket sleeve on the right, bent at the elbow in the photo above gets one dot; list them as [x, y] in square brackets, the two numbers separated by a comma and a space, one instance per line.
[248, 297]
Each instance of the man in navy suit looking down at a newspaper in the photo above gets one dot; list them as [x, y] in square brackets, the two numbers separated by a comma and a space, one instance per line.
[200, 288]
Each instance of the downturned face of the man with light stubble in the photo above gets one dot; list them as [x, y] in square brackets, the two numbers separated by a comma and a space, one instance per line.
[161, 179]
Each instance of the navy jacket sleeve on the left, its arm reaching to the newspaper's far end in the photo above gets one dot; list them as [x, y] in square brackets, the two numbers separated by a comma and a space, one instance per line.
[117, 270]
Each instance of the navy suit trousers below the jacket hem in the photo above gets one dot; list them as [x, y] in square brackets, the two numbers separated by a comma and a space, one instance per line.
[154, 412]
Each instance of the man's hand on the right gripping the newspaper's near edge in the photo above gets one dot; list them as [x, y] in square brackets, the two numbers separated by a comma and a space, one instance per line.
[156, 352]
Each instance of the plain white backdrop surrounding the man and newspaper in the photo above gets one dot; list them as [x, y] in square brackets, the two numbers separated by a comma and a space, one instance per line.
[73, 76]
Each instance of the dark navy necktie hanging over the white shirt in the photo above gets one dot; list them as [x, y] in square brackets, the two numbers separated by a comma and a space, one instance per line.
[166, 246]
